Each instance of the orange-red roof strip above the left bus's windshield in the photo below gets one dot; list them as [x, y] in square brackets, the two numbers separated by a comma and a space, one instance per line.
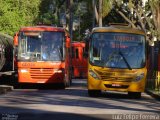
[42, 28]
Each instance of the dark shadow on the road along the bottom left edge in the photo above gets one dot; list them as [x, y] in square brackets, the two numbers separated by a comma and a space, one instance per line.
[44, 115]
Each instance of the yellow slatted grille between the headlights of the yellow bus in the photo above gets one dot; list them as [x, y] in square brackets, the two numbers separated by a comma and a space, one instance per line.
[115, 76]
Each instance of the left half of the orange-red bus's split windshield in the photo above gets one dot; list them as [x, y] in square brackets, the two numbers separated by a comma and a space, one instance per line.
[29, 47]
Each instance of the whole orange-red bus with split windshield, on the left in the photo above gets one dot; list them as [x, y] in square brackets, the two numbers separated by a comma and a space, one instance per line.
[42, 55]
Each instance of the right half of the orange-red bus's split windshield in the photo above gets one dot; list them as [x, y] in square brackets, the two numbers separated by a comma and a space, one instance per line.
[52, 46]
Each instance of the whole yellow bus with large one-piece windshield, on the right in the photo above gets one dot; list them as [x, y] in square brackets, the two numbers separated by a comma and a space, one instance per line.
[117, 60]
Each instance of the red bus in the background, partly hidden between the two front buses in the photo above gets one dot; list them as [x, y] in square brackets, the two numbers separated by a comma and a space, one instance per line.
[79, 61]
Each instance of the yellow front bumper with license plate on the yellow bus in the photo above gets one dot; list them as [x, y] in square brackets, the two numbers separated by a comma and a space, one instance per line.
[116, 86]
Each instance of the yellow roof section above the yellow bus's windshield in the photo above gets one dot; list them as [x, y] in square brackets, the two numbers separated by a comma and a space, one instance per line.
[118, 28]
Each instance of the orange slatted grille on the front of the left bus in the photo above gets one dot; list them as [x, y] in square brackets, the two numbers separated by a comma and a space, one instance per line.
[41, 73]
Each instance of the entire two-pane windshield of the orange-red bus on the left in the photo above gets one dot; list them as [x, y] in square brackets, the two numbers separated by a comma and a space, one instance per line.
[41, 46]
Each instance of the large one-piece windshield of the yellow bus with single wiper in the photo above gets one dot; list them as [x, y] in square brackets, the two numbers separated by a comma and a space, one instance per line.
[117, 50]
